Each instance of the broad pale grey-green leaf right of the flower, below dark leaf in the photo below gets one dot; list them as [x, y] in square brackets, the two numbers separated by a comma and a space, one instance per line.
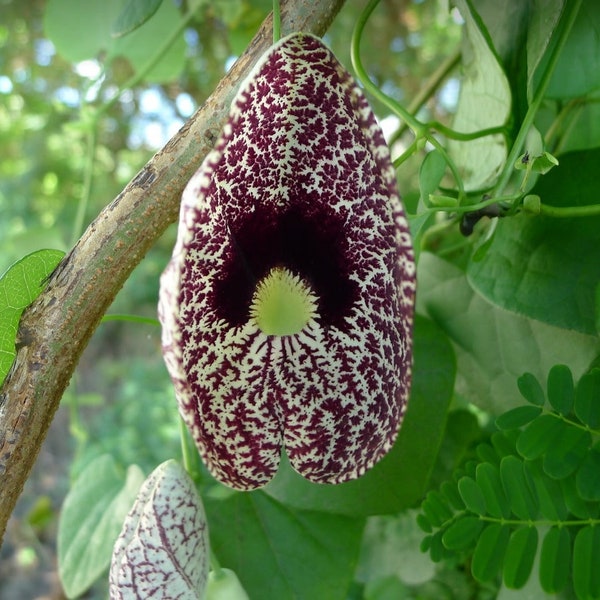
[487, 372]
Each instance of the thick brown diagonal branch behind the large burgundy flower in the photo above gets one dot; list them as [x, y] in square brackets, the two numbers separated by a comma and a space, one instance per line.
[56, 328]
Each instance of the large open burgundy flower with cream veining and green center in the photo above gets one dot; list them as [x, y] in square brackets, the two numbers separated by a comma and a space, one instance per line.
[287, 307]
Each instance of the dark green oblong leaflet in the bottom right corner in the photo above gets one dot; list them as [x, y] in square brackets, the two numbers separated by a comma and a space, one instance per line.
[586, 558]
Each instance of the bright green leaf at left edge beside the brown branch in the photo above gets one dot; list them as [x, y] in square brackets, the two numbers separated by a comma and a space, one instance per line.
[20, 285]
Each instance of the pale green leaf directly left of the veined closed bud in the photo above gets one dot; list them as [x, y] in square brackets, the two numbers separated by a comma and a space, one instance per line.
[91, 519]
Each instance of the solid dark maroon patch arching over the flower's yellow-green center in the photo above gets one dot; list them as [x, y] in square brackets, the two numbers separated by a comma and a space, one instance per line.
[308, 244]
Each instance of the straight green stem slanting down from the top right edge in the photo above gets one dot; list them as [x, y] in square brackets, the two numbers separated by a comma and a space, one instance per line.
[571, 10]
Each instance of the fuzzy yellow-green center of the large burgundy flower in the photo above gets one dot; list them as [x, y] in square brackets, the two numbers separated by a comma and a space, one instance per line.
[282, 303]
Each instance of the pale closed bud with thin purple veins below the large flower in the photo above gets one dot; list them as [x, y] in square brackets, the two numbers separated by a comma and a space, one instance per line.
[163, 549]
